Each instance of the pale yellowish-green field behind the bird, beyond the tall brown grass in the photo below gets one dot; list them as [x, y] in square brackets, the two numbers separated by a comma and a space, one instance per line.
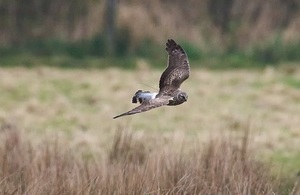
[78, 106]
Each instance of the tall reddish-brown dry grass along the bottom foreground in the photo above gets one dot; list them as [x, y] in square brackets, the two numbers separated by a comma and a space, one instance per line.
[220, 167]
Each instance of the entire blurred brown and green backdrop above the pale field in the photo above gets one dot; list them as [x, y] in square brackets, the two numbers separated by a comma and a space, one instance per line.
[235, 33]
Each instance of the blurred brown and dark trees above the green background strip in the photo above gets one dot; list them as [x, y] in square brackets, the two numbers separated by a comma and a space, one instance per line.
[223, 24]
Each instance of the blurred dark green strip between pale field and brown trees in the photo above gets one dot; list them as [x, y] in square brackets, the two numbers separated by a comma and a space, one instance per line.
[93, 53]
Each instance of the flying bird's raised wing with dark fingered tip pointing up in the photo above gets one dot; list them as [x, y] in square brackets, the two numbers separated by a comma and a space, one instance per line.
[178, 69]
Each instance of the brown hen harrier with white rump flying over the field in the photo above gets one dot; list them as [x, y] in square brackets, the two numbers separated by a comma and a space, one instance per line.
[176, 73]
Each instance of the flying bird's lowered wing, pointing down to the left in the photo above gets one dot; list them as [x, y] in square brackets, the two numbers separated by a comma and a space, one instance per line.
[147, 105]
